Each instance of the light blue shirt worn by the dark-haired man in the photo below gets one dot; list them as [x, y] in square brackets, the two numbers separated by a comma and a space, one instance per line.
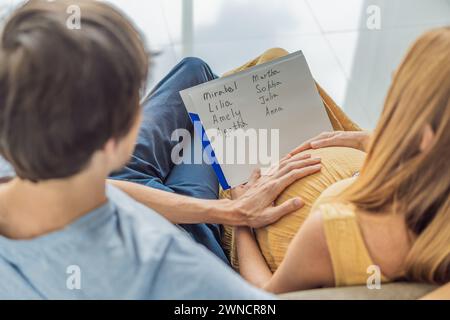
[122, 250]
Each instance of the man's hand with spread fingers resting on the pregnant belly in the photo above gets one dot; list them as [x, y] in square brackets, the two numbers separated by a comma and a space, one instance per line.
[255, 200]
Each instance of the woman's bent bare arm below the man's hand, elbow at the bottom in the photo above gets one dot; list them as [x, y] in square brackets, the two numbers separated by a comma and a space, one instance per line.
[307, 263]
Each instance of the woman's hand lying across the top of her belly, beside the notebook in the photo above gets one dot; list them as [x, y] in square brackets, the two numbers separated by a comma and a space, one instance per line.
[351, 139]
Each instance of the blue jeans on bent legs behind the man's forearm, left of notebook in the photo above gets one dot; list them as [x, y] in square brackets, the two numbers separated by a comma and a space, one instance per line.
[151, 164]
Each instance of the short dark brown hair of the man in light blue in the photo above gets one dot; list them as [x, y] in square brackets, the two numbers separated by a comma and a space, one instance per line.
[64, 92]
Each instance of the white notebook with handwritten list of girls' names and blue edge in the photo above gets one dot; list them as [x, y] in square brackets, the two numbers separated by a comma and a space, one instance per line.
[253, 118]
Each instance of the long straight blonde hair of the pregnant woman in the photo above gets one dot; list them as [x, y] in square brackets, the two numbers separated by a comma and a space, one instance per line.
[397, 176]
